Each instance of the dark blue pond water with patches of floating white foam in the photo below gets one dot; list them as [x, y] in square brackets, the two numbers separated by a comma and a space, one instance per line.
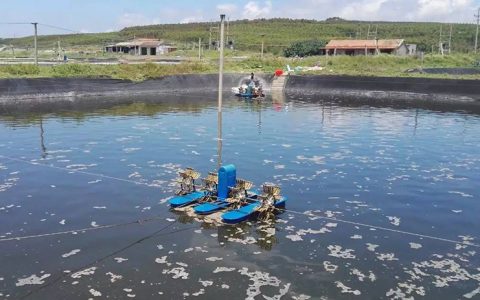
[383, 202]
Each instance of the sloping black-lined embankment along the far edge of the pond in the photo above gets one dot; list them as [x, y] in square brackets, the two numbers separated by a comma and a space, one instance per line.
[460, 94]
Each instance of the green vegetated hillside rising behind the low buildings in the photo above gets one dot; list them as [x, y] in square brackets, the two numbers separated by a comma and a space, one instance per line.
[279, 33]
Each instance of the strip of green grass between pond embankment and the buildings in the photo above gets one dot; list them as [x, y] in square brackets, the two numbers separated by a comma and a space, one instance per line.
[383, 65]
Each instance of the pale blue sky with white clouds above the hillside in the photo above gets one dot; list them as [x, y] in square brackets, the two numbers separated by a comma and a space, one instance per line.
[112, 15]
